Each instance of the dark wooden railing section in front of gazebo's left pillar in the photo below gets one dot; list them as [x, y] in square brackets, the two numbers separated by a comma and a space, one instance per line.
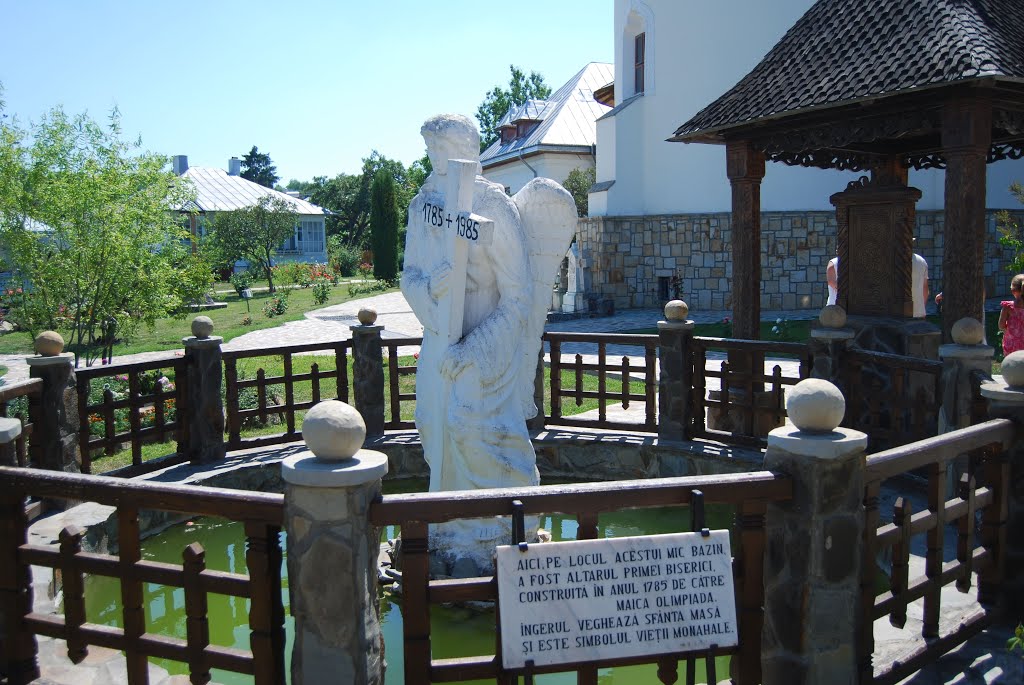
[749, 402]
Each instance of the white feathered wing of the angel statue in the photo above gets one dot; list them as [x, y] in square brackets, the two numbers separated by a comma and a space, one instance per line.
[549, 222]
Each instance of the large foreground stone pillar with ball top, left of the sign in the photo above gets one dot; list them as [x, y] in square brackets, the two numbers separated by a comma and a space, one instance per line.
[333, 550]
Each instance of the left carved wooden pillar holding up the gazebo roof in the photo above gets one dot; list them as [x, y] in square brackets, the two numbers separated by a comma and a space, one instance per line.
[746, 168]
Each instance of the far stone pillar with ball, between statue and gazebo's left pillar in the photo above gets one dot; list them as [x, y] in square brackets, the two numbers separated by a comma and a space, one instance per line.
[675, 378]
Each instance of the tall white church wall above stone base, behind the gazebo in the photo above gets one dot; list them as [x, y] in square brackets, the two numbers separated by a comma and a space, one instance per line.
[696, 52]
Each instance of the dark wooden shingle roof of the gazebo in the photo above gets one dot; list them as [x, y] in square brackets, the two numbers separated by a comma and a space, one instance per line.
[844, 52]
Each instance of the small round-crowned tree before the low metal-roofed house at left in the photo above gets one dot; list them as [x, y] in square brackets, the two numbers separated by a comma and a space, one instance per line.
[254, 234]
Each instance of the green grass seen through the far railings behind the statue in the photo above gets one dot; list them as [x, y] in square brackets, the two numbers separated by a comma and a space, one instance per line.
[274, 367]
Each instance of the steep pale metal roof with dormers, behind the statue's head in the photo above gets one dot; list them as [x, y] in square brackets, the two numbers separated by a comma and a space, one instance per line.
[568, 118]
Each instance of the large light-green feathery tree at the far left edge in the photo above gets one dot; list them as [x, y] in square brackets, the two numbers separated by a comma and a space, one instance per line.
[87, 223]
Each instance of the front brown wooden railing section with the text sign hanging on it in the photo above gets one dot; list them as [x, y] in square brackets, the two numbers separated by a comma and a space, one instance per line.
[749, 493]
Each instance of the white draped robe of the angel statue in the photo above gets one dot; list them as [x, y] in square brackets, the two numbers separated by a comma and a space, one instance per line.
[482, 414]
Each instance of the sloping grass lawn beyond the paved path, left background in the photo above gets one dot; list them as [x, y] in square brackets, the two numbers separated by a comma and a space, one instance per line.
[167, 333]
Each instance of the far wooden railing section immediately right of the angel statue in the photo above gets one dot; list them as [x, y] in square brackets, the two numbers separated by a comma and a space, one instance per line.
[619, 368]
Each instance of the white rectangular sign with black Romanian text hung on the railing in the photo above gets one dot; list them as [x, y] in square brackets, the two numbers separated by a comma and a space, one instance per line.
[602, 600]
